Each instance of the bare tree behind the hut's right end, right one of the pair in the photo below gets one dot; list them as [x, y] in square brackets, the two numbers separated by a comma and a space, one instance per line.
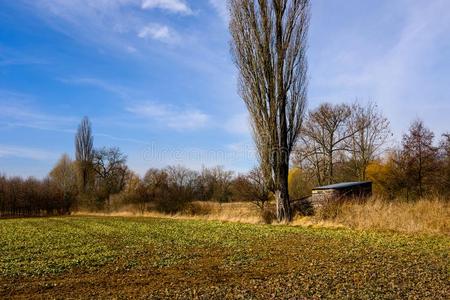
[371, 133]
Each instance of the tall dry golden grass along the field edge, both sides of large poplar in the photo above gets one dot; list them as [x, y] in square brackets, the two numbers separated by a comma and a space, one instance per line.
[430, 216]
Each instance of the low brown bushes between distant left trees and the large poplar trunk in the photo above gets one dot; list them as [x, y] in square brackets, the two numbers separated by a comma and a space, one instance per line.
[170, 189]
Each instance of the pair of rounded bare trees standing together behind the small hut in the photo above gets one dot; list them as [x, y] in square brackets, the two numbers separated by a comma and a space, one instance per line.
[333, 134]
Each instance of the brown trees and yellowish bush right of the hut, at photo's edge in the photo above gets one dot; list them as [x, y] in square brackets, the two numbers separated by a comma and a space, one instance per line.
[420, 167]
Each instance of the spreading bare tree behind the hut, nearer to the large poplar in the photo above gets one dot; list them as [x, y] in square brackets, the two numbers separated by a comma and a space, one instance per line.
[325, 132]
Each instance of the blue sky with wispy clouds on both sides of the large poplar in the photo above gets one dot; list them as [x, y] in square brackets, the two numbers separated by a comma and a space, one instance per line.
[156, 78]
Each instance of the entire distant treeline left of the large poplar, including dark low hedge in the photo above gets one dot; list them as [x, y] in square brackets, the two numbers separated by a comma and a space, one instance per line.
[99, 179]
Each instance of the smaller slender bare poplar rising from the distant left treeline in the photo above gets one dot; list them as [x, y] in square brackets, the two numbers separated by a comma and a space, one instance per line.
[84, 153]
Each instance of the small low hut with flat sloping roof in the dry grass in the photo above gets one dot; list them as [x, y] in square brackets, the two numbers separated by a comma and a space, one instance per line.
[343, 190]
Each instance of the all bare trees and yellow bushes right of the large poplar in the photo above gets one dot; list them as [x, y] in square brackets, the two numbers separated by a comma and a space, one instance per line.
[353, 143]
